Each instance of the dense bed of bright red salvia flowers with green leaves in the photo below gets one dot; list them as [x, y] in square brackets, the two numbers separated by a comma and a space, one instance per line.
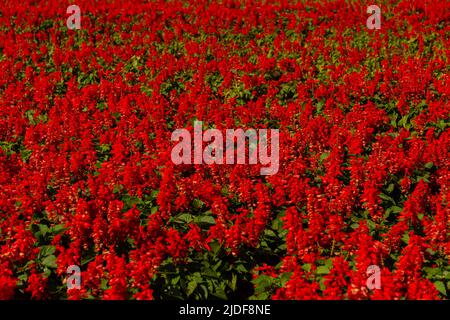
[86, 179]
